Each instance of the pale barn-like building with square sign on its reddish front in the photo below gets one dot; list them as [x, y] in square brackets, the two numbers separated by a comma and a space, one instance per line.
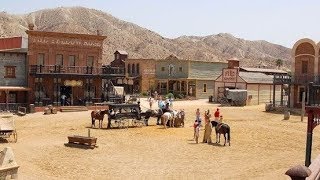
[257, 81]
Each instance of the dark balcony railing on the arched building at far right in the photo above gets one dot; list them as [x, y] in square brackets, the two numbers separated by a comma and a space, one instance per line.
[296, 79]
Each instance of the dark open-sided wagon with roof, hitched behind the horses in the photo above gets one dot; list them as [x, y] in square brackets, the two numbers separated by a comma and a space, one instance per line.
[120, 114]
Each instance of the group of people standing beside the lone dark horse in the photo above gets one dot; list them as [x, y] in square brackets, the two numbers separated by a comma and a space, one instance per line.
[208, 126]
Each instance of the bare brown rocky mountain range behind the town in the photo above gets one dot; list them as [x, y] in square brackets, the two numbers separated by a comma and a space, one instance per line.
[143, 43]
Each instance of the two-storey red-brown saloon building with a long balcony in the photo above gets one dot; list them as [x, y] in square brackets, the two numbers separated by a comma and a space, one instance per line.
[67, 65]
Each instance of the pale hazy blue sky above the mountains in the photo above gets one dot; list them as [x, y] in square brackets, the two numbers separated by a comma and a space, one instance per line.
[278, 21]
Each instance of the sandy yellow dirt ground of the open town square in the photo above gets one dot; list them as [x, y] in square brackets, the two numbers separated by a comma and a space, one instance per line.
[263, 146]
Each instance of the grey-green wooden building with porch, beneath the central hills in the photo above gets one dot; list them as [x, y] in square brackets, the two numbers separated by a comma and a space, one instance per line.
[192, 78]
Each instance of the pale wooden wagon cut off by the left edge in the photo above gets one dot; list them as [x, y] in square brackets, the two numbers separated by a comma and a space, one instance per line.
[8, 130]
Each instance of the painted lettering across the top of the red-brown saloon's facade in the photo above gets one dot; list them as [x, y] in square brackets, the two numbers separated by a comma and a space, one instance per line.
[66, 41]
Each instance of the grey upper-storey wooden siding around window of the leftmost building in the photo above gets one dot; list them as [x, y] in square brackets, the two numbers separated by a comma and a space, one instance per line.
[13, 59]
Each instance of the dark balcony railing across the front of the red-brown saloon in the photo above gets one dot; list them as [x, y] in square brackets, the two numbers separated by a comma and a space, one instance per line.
[79, 70]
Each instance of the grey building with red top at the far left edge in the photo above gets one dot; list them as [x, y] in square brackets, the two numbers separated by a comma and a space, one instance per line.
[13, 73]
